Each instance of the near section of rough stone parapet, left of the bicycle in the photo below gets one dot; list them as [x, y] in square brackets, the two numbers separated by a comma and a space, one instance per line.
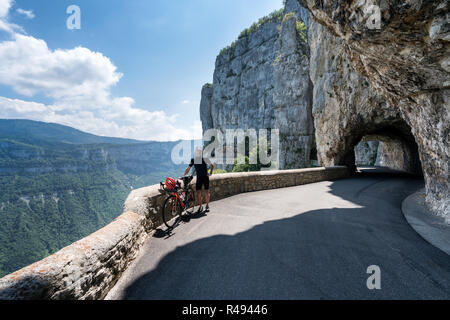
[85, 270]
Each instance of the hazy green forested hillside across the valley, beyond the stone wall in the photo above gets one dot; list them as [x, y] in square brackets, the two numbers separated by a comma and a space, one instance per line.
[58, 185]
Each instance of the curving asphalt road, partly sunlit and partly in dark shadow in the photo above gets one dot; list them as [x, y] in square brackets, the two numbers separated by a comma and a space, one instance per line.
[307, 242]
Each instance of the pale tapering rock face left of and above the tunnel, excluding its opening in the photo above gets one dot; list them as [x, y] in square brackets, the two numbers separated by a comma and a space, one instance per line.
[346, 106]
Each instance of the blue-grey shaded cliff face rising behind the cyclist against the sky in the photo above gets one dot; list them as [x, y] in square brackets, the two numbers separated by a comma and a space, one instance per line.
[262, 81]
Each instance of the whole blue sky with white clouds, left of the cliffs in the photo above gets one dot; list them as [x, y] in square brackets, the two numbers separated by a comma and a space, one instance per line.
[135, 69]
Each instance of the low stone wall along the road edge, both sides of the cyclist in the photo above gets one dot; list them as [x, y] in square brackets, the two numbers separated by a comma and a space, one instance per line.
[89, 268]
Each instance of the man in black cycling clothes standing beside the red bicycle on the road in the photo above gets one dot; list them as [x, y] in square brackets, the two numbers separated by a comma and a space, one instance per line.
[201, 168]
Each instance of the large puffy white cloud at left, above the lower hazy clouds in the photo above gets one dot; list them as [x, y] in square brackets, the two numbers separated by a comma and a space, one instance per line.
[29, 67]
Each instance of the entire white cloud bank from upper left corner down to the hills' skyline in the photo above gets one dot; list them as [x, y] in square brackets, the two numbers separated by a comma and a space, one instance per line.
[79, 82]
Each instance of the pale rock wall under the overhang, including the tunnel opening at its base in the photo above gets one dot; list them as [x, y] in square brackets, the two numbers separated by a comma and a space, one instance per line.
[347, 108]
